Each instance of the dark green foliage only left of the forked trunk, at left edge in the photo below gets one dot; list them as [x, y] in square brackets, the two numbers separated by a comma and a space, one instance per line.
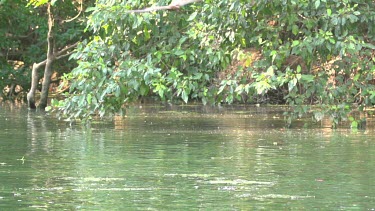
[18, 39]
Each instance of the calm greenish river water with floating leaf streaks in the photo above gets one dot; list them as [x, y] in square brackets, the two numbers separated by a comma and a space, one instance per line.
[183, 158]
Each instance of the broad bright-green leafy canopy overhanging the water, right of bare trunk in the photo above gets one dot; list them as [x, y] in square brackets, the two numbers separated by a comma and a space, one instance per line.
[317, 56]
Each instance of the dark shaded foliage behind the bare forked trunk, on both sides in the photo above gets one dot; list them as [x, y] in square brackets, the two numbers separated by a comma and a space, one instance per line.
[23, 39]
